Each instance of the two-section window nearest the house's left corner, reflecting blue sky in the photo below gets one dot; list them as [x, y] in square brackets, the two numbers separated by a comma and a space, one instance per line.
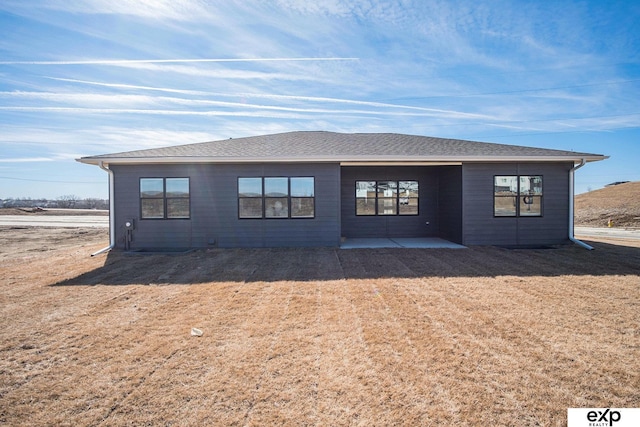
[164, 198]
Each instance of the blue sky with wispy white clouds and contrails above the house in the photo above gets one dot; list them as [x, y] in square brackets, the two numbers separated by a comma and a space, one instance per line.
[88, 77]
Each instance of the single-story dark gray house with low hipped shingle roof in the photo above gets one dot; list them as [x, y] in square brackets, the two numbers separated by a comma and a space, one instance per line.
[317, 188]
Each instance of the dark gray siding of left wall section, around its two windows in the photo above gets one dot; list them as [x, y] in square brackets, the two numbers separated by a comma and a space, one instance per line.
[214, 208]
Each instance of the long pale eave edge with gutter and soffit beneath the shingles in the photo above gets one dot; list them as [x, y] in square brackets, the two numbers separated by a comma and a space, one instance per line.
[348, 161]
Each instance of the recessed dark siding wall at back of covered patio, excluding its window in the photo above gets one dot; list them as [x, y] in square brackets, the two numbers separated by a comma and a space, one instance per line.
[391, 225]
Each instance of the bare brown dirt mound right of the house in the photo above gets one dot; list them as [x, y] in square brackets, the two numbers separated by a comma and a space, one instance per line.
[619, 203]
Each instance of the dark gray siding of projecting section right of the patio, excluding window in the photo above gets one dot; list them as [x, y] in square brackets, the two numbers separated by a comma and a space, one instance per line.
[480, 227]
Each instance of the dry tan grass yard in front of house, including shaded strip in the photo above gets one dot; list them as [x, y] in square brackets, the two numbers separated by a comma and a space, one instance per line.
[479, 336]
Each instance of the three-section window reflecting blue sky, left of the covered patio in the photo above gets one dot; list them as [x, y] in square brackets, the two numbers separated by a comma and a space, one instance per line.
[276, 197]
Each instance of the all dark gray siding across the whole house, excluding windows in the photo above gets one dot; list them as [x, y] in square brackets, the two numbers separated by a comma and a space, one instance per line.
[455, 201]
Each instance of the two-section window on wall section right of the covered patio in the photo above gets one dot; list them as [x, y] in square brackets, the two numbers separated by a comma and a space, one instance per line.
[517, 195]
